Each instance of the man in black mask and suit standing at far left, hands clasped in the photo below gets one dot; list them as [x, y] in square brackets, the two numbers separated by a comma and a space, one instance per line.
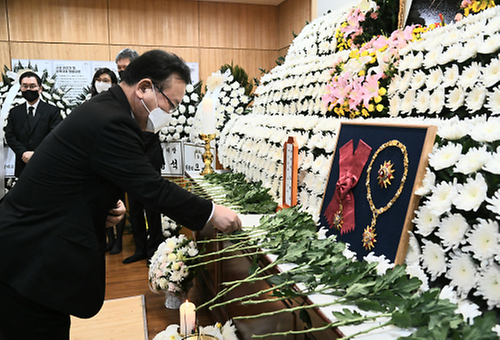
[28, 124]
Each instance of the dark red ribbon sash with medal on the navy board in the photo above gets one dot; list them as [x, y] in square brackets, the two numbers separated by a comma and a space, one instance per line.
[350, 167]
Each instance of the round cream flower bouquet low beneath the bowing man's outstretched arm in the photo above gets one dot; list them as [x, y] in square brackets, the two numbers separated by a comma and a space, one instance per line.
[168, 270]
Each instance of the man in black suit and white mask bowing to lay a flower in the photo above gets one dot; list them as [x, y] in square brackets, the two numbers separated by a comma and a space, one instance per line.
[52, 237]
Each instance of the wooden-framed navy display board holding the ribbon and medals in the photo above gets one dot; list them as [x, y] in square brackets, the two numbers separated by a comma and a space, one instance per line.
[392, 226]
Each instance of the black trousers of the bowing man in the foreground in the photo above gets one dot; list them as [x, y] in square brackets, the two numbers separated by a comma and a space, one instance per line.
[23, 319]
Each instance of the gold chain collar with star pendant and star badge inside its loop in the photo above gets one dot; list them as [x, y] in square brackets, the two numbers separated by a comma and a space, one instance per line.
[369, 235]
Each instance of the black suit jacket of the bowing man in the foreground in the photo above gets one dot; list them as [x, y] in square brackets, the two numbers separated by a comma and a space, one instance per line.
[52, 222]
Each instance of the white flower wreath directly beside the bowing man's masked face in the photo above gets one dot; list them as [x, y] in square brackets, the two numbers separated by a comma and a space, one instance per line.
[179, 128]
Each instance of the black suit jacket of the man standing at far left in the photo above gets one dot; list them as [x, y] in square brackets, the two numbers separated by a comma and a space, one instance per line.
[22, 137]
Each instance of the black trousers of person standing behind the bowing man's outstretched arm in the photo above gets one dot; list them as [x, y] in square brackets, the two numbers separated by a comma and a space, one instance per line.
[146, 240]
